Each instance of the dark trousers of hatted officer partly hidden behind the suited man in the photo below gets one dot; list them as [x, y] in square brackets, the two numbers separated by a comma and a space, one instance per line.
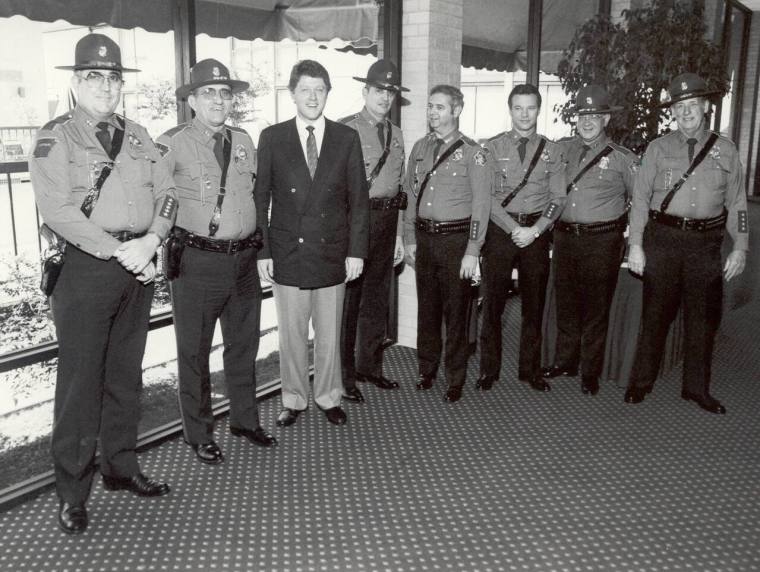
[366, 305]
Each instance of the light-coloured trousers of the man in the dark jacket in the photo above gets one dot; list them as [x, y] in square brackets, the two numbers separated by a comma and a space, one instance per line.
[295, 306]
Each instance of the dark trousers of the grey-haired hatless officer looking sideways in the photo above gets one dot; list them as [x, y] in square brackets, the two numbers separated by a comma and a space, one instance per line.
[443, 298]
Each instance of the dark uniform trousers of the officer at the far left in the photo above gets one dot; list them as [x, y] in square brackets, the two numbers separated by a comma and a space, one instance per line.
[101, 319]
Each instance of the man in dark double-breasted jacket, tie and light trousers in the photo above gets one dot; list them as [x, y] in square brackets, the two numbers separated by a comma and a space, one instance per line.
[311, 173]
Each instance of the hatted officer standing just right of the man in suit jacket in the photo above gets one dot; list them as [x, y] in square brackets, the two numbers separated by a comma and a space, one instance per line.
[366, 303]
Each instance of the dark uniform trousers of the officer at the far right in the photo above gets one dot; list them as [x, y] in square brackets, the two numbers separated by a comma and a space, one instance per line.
[682, 267]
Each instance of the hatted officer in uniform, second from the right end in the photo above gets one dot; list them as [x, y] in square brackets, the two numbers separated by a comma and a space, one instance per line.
[588, 238]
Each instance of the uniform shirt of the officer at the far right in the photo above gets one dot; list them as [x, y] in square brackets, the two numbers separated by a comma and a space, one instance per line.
[716, 184]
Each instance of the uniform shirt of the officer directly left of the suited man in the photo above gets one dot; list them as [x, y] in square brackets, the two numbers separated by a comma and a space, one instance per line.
[188, 153]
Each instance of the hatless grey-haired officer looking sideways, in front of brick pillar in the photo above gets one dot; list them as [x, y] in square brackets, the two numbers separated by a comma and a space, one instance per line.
[448, 178]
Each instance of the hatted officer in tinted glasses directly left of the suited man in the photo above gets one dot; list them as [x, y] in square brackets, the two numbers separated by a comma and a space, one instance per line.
[214, 166]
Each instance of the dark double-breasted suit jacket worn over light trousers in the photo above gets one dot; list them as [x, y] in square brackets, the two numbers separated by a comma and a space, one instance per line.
[313, 225]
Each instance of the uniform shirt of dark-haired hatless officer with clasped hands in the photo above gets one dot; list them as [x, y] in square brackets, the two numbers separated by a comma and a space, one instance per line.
[545, 189]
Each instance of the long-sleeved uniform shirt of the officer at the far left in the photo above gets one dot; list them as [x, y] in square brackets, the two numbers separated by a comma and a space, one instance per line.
[138, 195]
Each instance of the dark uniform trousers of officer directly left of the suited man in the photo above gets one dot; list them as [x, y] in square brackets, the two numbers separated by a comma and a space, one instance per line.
[216, 286]
